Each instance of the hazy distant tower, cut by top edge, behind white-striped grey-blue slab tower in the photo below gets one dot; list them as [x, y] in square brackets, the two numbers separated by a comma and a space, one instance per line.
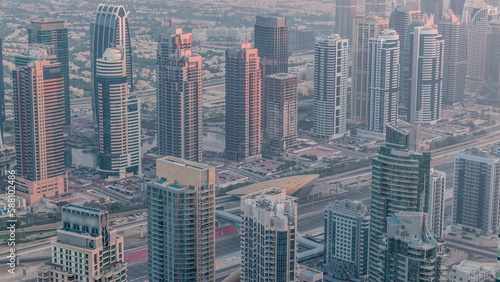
[345, 12]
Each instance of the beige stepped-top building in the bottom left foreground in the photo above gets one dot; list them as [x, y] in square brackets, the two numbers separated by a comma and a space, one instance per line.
[86, 249]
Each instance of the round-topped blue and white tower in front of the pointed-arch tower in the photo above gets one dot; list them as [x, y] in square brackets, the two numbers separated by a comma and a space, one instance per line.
[118, 112]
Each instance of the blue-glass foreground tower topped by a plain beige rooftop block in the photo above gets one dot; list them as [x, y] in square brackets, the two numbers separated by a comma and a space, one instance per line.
[181, 221]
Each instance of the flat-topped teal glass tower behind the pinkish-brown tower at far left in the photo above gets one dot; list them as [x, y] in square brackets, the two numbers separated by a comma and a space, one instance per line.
[54, 33]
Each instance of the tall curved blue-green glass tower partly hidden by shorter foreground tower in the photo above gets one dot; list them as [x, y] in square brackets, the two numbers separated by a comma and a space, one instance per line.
[400, 182]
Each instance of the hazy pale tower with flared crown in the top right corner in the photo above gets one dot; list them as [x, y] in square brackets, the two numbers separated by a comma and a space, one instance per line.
[477, 14]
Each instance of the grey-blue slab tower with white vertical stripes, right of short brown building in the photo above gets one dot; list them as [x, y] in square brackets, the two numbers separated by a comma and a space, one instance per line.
[331, 74]
